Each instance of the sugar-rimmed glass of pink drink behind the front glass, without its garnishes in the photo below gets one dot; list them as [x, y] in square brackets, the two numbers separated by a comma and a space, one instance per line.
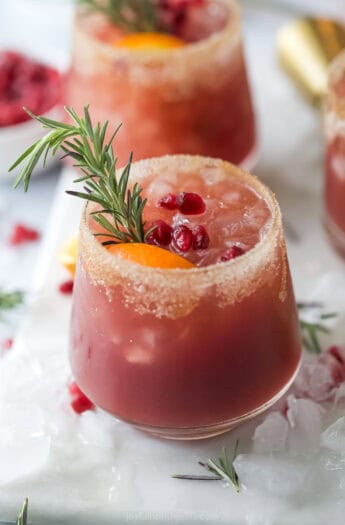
[194, 99]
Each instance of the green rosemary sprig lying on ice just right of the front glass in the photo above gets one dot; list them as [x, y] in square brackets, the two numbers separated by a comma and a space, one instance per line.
[310, 330]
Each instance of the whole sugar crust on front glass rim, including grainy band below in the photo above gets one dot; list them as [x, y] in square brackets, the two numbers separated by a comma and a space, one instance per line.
[232, 280]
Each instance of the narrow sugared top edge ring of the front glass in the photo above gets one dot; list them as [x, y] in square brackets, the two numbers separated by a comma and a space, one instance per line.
[144, 168]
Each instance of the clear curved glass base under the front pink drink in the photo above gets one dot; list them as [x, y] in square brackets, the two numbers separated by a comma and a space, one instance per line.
[208, 431]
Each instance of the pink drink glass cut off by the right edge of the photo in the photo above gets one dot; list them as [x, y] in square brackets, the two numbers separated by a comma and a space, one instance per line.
[335, 154]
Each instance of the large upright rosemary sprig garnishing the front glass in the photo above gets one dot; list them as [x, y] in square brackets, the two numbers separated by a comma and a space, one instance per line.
[120, 209]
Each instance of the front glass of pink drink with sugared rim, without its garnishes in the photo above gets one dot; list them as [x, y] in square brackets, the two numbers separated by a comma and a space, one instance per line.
[187, 354]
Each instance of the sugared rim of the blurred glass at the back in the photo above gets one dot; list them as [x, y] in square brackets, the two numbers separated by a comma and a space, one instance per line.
[231, 31]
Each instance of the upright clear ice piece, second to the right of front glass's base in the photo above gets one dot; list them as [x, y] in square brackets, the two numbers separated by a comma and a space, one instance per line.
[305, 418]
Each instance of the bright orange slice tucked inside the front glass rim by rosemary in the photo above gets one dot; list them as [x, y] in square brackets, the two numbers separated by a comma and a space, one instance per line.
[149, 255]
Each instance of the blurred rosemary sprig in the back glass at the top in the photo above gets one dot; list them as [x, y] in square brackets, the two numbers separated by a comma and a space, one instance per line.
[131, 15]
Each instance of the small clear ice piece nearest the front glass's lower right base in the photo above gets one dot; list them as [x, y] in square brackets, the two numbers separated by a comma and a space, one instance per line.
[271, 435]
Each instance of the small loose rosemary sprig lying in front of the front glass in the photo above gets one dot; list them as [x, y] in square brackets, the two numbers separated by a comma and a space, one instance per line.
[222, 470]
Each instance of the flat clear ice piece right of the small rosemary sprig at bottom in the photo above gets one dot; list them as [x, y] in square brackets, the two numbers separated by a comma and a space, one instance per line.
[280, 476]
